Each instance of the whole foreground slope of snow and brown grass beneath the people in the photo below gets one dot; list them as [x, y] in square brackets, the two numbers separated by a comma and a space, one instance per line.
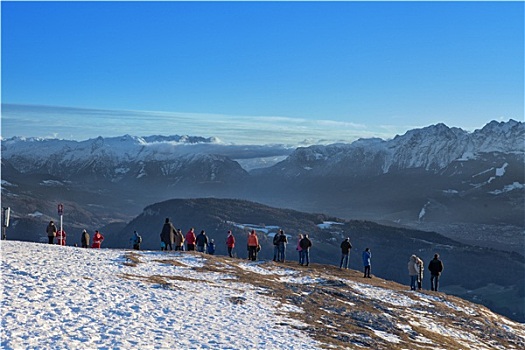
[73, 298]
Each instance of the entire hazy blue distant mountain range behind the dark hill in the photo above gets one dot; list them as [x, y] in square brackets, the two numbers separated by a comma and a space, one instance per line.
[434, 175]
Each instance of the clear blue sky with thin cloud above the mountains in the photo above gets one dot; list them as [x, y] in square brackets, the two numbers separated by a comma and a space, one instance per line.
[321, 70]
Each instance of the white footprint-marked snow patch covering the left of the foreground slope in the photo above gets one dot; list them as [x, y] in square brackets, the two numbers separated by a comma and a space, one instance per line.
[57, 297]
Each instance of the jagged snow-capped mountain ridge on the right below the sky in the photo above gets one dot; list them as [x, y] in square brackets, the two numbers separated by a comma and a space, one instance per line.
[432, 148]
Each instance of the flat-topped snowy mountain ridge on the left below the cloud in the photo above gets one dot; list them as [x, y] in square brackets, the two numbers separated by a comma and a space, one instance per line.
[119, 159]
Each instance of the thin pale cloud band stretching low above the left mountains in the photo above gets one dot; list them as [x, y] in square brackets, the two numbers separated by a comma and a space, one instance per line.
[82, 124]
